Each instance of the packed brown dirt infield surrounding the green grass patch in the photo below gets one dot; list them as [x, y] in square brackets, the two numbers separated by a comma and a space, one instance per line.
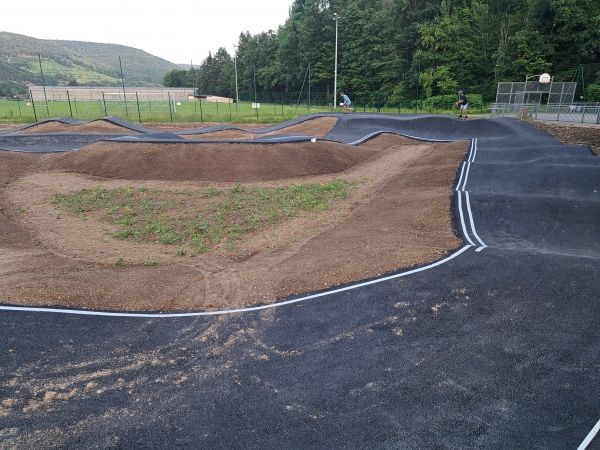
[398, 218]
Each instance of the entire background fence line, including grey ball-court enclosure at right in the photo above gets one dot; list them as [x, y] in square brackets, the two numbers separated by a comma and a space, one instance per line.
[184, 105]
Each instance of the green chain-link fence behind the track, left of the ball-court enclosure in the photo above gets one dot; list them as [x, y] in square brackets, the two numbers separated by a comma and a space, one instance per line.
[184, 105]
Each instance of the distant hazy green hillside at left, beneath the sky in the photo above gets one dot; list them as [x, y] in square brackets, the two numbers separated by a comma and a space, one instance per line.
[64, 62]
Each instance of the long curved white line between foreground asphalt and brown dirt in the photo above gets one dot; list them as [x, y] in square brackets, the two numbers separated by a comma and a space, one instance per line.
[232, 311]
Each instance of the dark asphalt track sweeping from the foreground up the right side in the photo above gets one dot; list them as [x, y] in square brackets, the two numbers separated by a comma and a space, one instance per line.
[496, 347]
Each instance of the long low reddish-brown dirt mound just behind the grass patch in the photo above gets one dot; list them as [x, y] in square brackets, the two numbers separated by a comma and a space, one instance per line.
[210, 162]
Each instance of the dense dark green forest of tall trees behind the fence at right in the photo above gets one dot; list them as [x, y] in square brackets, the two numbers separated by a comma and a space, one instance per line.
[394, 51]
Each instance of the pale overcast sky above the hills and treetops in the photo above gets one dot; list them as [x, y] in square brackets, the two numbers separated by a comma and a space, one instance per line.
[179, 31]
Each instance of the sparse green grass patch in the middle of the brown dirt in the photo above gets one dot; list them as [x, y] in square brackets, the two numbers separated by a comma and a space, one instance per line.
[200, 220]
